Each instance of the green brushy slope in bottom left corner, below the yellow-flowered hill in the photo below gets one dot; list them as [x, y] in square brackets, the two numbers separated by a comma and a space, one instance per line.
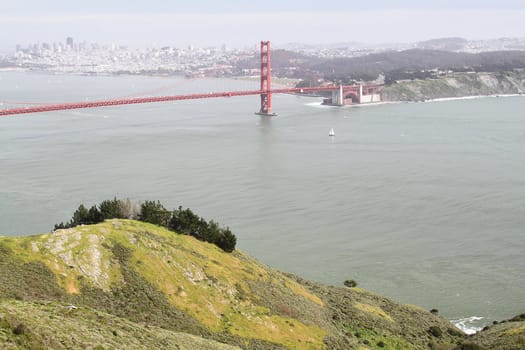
[51, 325]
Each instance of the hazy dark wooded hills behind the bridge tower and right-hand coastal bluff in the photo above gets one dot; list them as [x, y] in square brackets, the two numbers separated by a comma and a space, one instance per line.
[415, 63]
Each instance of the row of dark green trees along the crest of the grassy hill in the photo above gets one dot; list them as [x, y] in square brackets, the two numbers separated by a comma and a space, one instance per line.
[183, 221]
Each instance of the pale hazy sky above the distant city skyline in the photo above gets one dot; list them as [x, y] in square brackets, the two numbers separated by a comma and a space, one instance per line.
[246, 22]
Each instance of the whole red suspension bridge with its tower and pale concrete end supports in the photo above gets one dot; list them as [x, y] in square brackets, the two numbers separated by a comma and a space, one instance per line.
[341, 94]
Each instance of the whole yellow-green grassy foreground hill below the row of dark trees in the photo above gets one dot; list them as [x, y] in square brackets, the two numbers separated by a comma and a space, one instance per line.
[129, 284]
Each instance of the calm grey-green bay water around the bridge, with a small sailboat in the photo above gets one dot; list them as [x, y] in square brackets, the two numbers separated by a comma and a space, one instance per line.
[422, 202]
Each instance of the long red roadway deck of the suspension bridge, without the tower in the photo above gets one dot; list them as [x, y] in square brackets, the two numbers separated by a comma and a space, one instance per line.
[127, 101]
